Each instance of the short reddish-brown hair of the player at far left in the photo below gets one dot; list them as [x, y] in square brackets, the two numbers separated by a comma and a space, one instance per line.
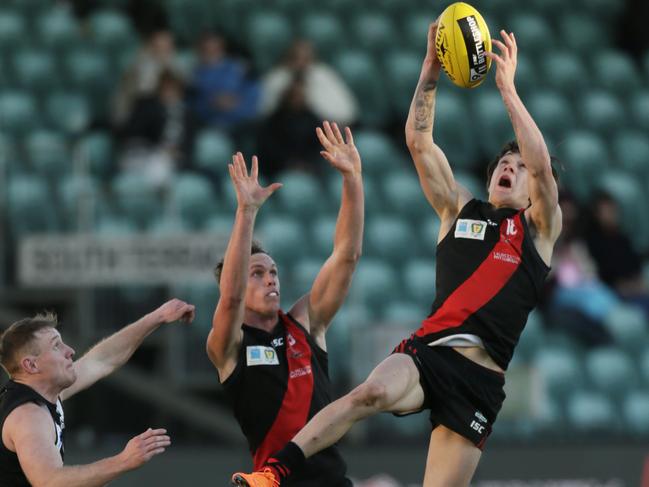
[19, 336]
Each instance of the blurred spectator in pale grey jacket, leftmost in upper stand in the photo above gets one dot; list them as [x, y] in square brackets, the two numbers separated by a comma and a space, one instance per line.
[141, 78]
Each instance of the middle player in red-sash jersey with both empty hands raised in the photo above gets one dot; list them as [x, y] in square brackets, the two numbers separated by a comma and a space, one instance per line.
[273, 365]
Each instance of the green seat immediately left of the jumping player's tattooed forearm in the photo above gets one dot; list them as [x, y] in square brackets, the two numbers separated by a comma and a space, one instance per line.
[402, 71]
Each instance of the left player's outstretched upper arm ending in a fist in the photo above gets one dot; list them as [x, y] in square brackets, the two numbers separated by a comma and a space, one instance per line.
[114, 351]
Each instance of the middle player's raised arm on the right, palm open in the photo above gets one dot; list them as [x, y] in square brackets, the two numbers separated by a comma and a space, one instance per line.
[317, 309]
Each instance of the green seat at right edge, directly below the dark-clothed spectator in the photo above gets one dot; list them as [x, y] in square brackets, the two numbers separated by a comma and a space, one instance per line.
[628, 326]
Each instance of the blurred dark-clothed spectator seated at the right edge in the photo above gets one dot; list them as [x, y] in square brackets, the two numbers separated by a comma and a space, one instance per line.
[619, 264]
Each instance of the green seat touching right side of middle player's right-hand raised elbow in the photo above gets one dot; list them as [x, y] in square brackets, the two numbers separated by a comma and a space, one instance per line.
[389, 238]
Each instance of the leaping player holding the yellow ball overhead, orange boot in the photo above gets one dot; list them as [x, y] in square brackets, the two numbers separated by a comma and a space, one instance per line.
[492, 259]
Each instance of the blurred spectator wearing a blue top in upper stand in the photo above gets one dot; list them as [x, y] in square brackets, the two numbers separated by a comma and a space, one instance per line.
[224, 95]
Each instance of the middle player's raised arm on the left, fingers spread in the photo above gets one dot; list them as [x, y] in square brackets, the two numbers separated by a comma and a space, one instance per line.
[225, 336]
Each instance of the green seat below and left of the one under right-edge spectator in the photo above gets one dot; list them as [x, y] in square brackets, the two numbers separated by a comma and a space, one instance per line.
[611, 371]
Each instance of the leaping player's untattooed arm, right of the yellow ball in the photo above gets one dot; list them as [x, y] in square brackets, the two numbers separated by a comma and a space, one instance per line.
[544, 193]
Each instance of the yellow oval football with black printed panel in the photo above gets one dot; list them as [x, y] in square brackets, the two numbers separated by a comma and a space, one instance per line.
[461, 41]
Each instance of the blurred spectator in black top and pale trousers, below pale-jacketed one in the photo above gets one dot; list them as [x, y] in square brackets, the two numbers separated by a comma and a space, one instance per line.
[158, 135]
